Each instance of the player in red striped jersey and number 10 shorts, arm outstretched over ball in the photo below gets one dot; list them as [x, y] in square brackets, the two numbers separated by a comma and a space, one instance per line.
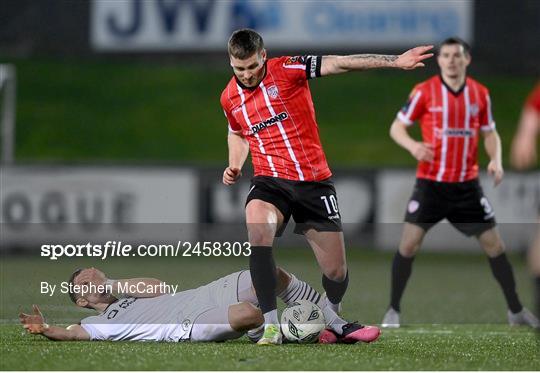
[270, 114]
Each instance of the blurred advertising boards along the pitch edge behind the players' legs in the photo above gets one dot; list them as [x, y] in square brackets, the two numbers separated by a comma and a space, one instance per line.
[78, 204]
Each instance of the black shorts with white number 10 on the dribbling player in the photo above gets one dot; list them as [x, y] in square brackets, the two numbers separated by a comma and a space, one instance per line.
[313, 204]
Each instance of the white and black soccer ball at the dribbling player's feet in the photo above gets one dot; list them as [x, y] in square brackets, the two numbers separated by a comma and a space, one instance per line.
[302, 322]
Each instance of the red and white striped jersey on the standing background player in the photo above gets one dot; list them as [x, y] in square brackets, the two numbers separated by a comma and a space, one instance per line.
[450, 121]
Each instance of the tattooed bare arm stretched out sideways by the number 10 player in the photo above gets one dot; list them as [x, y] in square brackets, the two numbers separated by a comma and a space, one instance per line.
[409, 60]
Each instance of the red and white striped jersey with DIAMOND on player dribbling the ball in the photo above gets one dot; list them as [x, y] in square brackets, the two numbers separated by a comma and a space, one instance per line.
[278, 119]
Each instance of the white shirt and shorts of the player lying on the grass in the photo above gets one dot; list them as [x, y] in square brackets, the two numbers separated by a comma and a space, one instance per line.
[167, 318]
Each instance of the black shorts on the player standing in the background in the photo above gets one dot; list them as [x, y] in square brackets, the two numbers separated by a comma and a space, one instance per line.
[463, 204]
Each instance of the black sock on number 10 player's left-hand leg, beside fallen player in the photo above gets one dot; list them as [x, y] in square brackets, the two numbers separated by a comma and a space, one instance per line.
[263, 275]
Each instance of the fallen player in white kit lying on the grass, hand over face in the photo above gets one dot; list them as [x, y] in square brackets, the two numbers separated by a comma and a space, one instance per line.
[221, 310]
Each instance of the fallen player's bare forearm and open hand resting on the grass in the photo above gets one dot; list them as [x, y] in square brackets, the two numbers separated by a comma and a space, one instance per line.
[35, 324]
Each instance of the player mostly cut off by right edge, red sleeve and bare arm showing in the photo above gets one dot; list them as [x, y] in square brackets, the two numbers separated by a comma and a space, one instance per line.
[524, 155]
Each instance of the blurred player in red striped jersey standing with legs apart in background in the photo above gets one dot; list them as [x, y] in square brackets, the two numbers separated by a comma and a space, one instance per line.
[454, 110]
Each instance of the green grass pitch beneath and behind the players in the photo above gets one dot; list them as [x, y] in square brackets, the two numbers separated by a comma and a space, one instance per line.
[454, 311]
